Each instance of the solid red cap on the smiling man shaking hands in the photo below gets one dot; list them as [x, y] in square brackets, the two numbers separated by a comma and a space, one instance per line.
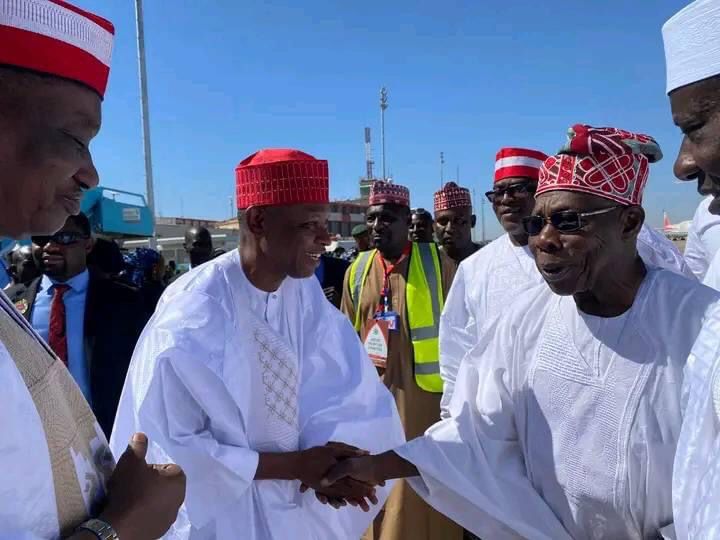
[278, 177]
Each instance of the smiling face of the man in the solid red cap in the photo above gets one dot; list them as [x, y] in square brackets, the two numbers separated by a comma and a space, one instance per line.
[294, 238]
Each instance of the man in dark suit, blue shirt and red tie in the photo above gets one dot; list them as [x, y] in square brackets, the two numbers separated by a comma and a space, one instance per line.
[92, 324]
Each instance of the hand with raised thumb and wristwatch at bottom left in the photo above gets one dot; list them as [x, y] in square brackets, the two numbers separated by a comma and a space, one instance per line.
[143, 500]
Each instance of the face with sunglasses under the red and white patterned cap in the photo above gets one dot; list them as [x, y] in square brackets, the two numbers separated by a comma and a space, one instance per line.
[575, 262]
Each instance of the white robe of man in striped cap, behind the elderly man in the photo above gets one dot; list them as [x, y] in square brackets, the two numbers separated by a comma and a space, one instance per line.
[488, 281]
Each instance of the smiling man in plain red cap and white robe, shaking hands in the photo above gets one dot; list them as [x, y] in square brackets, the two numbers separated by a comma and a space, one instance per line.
[246, 373]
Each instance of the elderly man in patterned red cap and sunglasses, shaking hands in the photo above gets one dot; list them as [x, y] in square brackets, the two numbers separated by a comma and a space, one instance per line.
[566, 415]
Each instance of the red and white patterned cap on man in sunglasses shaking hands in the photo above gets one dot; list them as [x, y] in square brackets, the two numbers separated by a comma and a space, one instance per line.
[607, 162]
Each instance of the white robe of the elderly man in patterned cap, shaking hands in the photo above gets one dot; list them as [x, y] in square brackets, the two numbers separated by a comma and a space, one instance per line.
[564, 424]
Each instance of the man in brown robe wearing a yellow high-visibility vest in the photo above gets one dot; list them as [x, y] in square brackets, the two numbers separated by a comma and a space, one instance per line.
[394, 294]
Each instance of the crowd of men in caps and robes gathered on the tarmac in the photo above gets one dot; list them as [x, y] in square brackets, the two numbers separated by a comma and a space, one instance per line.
[561, 382]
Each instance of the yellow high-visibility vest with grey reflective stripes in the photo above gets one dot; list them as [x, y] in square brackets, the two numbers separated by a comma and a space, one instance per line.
[424, 297]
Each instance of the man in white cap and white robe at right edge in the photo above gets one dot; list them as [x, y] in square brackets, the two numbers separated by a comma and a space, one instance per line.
[693, 85]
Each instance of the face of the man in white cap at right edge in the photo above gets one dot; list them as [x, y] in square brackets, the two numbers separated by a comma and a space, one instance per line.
[696, 111]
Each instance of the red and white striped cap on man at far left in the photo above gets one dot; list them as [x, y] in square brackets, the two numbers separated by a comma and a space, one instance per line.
[56, 38]
